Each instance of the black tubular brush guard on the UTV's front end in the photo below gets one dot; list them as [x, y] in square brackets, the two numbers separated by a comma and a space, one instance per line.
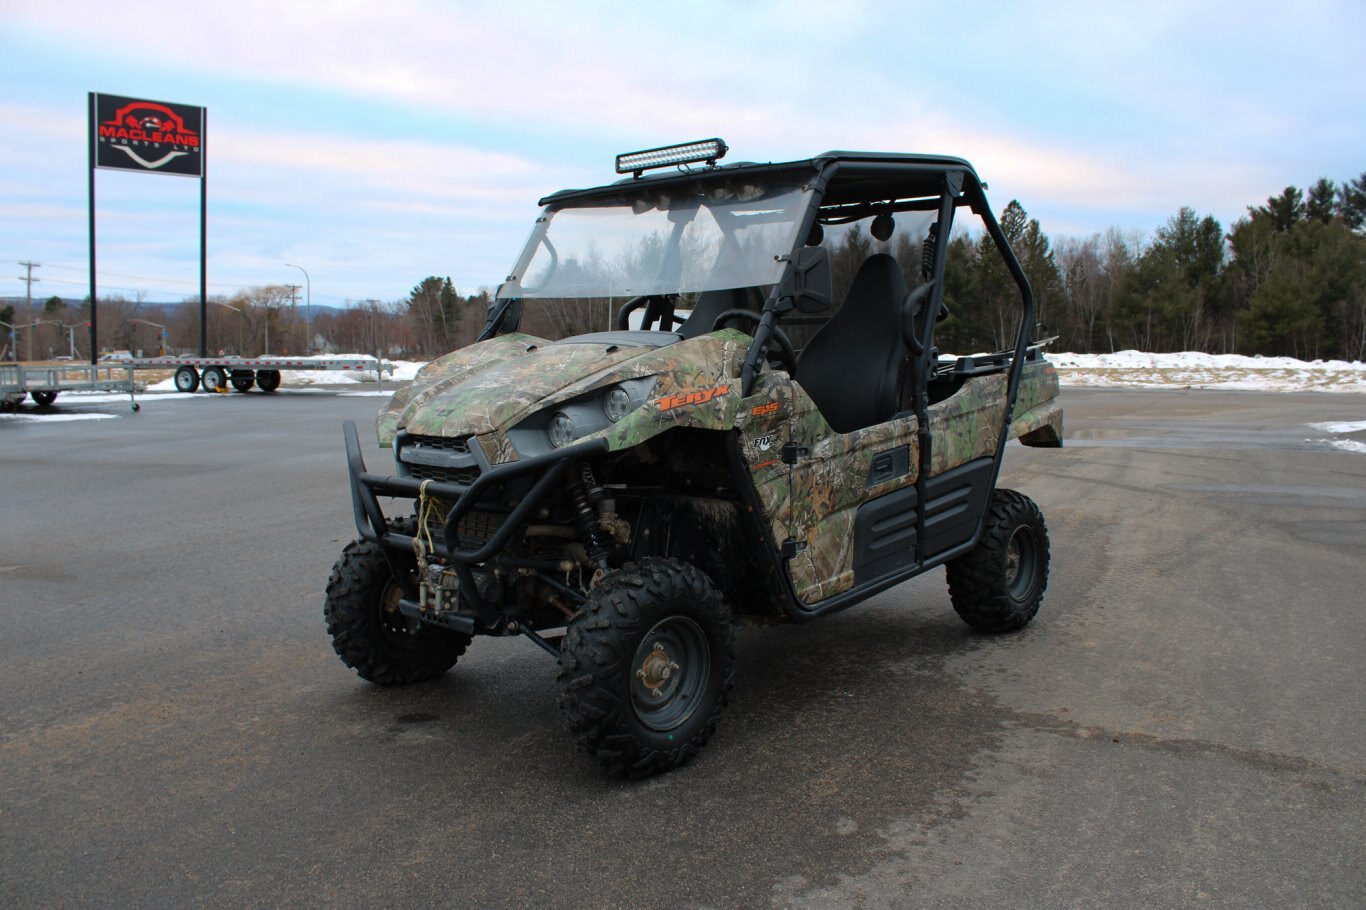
[370, 519]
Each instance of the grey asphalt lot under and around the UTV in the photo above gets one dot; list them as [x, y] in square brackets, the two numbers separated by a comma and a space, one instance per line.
[1182, 726]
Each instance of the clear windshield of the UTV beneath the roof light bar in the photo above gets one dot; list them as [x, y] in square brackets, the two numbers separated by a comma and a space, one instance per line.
[677, 240]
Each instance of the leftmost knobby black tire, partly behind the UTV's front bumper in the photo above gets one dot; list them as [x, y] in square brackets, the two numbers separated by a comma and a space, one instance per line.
[370, 633]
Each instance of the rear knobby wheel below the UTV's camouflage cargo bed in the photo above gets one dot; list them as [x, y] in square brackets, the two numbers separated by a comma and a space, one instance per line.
[999, 585]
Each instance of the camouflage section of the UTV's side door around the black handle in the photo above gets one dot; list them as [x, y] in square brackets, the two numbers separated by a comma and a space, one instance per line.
[827, 488]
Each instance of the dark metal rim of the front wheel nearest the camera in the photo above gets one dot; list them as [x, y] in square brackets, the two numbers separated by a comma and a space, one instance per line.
[670, 673]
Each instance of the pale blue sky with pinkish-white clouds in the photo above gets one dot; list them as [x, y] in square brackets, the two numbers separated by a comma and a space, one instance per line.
[376, 143]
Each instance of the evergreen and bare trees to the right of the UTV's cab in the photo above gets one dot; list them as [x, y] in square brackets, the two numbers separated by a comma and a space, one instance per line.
[1289, 279]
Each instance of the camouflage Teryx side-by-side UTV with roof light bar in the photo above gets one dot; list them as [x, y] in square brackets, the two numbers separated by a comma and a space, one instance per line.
[703, 397]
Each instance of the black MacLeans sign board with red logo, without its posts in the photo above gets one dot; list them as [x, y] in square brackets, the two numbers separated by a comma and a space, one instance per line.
[132, 135]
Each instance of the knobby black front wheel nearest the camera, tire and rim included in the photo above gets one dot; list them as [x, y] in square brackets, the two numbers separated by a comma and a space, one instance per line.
[647, 667]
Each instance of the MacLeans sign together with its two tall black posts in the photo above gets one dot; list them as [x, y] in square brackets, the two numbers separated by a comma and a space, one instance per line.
[154, 137]
